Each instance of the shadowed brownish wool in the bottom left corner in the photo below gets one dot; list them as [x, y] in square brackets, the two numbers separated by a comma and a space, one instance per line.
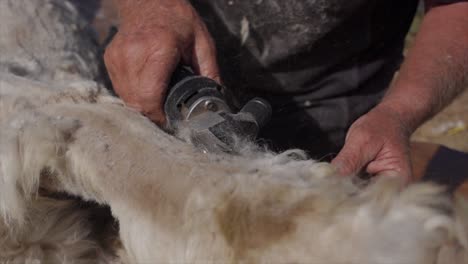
[54, 232]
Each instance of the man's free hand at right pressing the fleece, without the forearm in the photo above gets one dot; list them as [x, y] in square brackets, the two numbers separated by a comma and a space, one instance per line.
[377, 143]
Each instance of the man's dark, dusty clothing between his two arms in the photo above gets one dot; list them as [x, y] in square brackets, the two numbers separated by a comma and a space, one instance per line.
[321, 63]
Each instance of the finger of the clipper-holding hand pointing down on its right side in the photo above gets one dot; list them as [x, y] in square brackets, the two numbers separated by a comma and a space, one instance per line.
[204, 56]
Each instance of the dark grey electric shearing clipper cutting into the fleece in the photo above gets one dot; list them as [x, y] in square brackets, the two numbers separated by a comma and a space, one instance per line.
[205, 107]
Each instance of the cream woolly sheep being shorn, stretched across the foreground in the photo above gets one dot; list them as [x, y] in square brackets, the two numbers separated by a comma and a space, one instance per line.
[61, 132]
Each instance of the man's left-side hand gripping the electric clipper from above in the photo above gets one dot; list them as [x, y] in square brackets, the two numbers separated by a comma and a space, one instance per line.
[153, 38]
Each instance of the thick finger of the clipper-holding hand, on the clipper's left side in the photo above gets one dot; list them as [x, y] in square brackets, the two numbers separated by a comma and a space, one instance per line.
[153, 80]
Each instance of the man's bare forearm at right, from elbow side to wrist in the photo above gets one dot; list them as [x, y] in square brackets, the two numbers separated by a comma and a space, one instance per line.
[436, 68]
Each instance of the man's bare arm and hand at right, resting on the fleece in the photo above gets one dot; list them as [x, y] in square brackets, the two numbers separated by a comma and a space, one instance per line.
[433, 73]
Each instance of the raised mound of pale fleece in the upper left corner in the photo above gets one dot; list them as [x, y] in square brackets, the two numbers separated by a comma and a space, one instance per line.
[45, 40]
